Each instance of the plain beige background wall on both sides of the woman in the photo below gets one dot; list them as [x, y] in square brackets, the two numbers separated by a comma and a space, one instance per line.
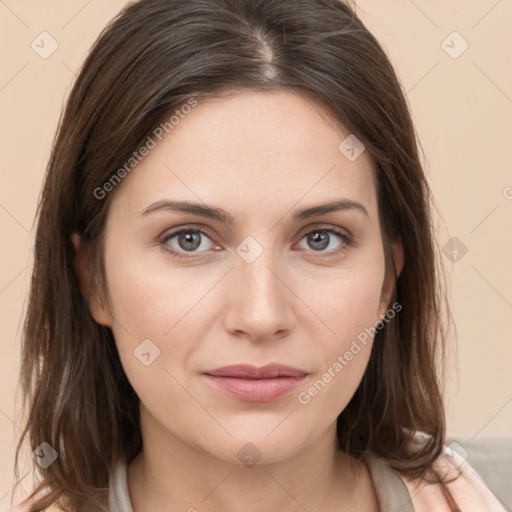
[462, 108]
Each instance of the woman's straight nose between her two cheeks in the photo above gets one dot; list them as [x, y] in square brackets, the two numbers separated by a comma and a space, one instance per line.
[259, 302]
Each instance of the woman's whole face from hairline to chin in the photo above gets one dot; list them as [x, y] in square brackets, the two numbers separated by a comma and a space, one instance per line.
[268, 287]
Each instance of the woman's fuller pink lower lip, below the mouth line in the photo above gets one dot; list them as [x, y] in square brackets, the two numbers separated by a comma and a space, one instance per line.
[256, 390]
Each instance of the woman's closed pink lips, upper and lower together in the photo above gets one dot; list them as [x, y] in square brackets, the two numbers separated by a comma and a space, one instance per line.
[253, 384]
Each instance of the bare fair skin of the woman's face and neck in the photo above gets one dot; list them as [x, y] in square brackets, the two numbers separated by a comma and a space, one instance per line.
[259, 156]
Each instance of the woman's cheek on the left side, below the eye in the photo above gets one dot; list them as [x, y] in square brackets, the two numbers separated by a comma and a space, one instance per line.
[171, 309]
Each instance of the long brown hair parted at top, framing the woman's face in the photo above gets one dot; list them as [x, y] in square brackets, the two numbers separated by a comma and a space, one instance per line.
[148, 61]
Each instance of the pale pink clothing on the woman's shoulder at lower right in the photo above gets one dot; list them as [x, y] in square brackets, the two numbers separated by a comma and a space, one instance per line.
[468, 491]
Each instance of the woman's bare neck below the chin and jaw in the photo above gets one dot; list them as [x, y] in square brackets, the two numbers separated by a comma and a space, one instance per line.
[171, 475]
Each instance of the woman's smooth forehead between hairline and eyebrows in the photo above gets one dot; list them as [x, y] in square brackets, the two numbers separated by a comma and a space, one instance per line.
[260, 149]
